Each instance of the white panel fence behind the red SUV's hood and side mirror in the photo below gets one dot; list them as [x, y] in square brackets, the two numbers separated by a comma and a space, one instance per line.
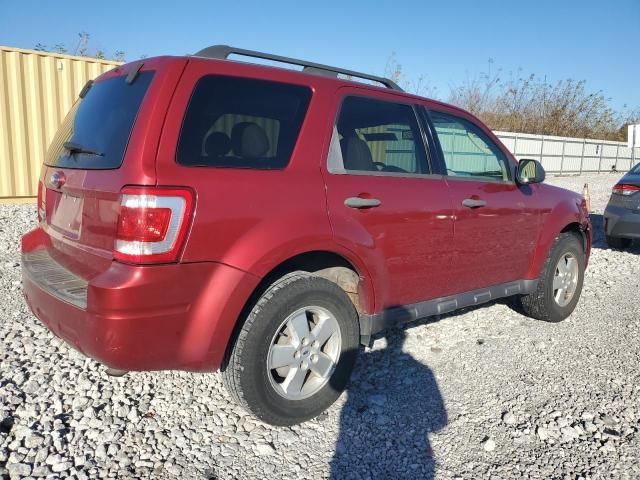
[571, 155]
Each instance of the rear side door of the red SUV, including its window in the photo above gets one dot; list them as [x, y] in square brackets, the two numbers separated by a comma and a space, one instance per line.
[384, 202]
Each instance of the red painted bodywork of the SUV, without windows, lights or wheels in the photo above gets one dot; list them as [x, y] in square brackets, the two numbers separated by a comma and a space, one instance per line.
[419, 244]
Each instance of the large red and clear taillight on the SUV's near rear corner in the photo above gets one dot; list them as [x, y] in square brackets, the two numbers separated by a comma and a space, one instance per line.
[152, 224]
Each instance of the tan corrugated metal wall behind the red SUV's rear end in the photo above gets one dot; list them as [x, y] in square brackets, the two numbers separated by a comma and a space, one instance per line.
[37, 89]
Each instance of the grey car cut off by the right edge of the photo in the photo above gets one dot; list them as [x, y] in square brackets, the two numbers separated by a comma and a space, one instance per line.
[622, 215]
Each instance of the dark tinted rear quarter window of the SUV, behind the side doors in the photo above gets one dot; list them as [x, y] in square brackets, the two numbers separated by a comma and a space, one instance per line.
[241, 123]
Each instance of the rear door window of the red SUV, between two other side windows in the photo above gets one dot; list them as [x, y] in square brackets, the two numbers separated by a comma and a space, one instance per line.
[377, 136]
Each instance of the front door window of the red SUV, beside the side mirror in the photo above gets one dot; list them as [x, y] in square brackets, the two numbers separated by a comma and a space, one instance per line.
[468, 152]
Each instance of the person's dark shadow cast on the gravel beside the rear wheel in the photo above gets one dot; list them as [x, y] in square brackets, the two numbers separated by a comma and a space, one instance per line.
[393, 404]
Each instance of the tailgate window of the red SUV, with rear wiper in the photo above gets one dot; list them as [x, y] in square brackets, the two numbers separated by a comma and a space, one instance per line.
[100, 122]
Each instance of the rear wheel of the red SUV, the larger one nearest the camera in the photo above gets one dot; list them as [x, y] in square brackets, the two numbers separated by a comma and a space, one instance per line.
[295, 351]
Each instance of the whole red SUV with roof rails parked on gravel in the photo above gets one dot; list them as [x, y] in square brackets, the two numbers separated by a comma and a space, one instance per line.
[198, 213]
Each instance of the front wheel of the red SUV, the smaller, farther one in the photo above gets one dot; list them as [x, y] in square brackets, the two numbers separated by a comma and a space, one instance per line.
[560, 283]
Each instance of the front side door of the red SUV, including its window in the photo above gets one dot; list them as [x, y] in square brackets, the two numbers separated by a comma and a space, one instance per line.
[496, 223]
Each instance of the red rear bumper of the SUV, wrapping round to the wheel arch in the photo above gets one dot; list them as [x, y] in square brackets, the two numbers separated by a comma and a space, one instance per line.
[163, 317]
